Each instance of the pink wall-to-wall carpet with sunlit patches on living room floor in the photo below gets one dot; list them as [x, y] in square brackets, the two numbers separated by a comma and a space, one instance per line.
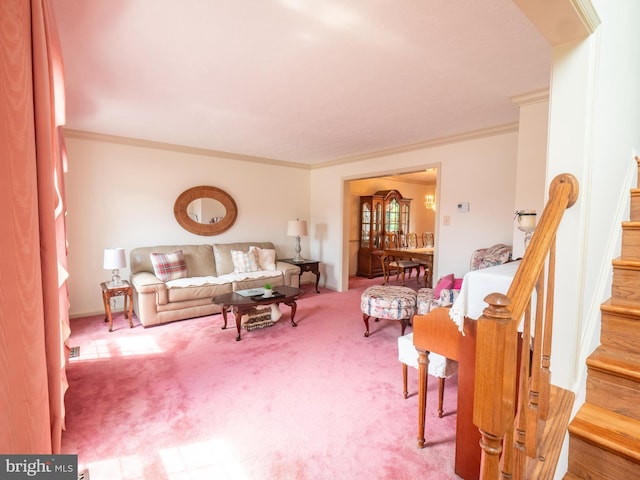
[186, 401]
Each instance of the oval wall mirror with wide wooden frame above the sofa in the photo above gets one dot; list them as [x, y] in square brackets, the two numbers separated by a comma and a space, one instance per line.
[205, 210]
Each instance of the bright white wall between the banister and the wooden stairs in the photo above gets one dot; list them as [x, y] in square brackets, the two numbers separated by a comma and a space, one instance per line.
[594, 133]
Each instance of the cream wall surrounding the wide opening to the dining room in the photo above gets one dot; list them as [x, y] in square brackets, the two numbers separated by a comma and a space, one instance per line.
[480, 171]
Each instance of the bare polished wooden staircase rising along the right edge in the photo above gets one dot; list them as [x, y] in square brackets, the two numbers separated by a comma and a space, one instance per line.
[604, 436]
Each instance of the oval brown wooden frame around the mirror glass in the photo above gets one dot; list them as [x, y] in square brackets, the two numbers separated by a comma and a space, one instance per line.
[195, 193]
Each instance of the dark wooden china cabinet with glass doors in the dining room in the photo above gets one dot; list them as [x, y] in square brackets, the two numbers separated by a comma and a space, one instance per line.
[384, 211]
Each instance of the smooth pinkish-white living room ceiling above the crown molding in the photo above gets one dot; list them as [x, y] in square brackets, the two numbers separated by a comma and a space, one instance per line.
[309, 82]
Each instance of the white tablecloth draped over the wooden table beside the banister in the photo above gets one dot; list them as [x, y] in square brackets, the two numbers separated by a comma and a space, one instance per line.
[476, 285]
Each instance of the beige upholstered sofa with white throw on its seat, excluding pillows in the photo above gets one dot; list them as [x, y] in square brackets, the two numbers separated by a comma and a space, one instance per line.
[210, 272]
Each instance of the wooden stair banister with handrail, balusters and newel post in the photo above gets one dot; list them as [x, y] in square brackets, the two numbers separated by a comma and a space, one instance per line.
[512, 389]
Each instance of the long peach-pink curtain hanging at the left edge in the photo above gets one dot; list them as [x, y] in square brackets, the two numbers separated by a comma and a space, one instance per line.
[34, 320]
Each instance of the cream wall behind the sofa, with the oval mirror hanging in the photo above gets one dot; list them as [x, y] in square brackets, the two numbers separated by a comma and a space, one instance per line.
[123, 195]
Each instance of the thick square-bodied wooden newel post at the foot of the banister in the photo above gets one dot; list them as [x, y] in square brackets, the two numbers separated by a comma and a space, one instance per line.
[495, 385]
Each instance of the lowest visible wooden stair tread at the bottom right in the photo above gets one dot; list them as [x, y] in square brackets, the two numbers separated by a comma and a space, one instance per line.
[608, 430]
